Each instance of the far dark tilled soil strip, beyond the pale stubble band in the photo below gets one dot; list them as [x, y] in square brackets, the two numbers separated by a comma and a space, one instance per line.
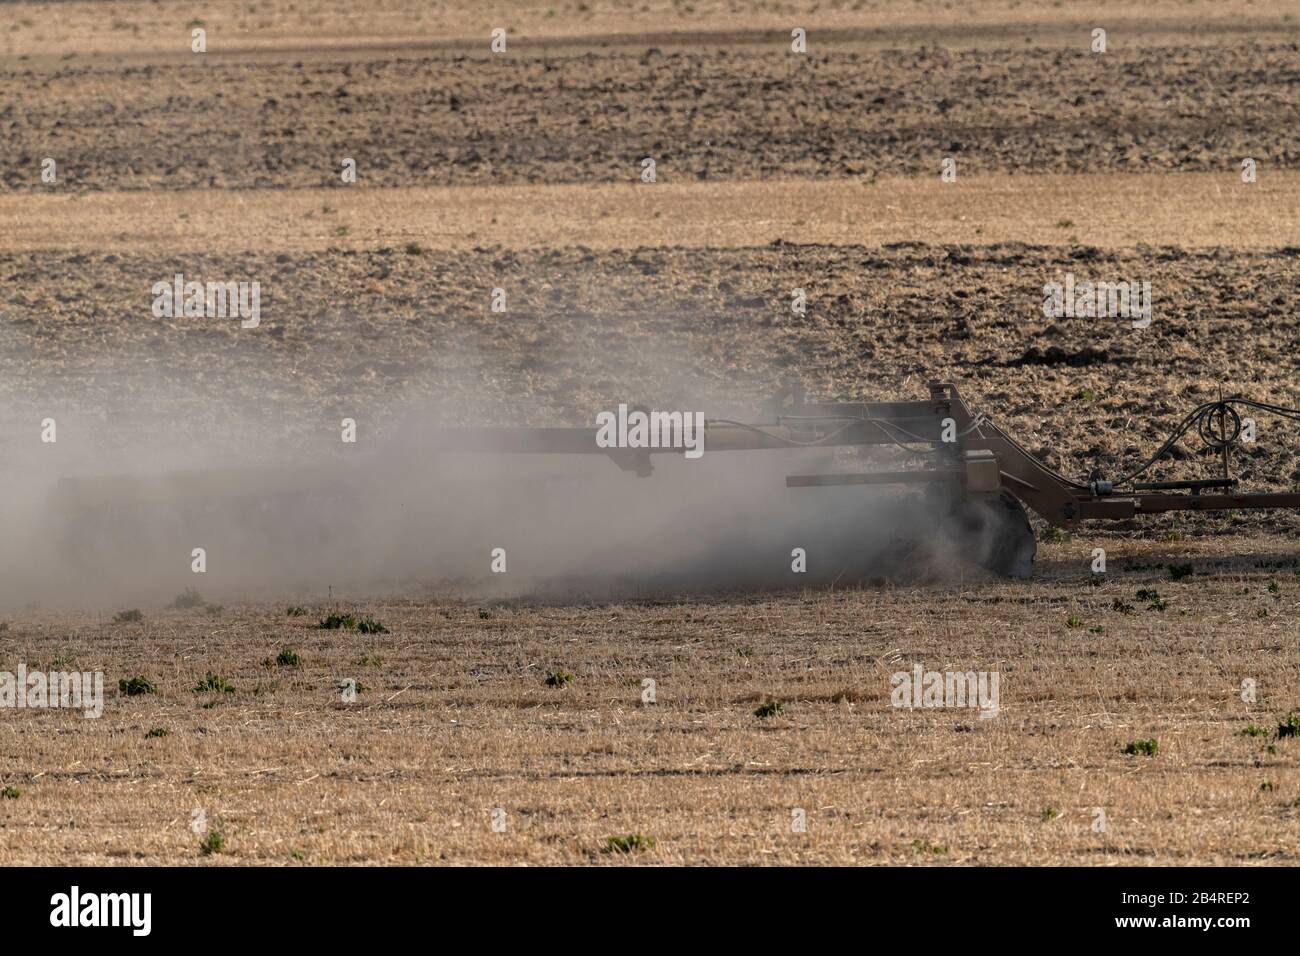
[701, 115]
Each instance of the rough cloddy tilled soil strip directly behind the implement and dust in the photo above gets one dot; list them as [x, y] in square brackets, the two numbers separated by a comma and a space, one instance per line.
[378, 335]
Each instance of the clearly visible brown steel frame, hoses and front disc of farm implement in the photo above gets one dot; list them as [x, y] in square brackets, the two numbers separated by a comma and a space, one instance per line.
[989, 477]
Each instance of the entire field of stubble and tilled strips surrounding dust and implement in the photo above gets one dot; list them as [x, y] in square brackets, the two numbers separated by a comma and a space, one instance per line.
[775, 172]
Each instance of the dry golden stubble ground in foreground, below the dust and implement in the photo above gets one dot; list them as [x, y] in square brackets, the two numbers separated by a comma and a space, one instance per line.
[457, 721]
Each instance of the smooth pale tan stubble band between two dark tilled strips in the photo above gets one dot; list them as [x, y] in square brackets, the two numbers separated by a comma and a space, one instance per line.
[1082, 210]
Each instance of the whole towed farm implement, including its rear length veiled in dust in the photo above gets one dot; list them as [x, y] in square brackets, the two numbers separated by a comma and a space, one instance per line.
[977, 487]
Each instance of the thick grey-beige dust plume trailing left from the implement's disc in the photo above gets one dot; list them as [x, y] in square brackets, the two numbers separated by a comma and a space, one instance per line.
[402, 517]
